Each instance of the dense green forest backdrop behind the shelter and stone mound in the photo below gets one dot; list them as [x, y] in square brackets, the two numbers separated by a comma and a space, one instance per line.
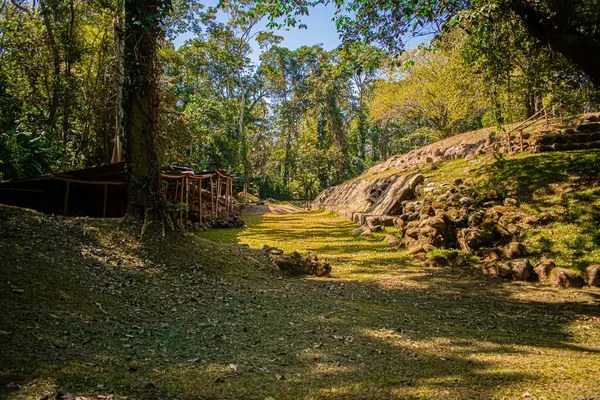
[290, 122]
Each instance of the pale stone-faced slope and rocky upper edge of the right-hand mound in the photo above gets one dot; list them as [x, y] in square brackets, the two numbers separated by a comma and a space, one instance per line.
[381, 189]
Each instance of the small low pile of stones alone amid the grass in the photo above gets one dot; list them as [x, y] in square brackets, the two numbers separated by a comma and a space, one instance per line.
[294, 264]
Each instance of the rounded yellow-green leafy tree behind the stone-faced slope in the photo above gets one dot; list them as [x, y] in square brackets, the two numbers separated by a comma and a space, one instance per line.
[436, 90]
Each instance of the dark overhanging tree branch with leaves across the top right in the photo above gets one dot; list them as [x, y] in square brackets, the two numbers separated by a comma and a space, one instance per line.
[570, 27]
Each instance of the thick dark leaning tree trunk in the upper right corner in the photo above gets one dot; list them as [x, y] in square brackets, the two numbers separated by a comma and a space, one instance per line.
[559, 32]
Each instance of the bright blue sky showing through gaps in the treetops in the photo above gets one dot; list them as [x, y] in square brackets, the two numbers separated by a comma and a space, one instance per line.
[321, 30]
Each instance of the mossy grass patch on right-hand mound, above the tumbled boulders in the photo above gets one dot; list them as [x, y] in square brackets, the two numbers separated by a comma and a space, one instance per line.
[560, 185]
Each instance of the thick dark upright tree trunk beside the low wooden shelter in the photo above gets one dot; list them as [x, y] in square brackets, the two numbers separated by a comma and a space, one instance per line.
[140, 110]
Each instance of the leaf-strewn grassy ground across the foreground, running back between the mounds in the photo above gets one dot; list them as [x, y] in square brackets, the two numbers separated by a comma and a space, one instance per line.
[89, 309]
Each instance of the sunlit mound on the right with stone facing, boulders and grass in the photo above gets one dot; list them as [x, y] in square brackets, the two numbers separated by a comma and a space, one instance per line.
[457, 194]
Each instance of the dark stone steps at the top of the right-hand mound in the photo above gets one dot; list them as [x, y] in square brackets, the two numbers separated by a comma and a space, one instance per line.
[583, 137]
